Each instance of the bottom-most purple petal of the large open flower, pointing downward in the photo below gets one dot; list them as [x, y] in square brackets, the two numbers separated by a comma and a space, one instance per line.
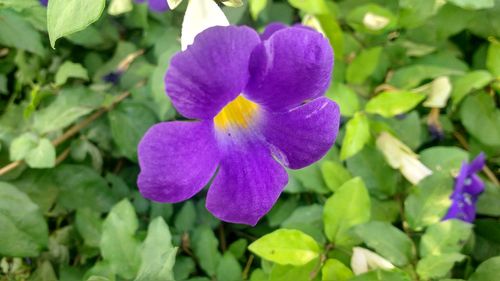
[248, 183]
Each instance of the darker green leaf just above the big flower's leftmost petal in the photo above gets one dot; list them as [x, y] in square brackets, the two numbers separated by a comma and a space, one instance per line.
[129, 121]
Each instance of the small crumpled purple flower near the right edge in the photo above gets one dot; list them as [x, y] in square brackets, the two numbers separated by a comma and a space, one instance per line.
[468, 187]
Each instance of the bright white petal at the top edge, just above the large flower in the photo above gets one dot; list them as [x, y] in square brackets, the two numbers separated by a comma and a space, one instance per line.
[200, 15]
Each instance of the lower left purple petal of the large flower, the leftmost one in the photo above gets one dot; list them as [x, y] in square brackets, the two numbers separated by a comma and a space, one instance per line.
[177, 159]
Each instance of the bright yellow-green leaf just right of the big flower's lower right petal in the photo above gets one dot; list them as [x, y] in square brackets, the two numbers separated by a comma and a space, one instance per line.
[356, 136]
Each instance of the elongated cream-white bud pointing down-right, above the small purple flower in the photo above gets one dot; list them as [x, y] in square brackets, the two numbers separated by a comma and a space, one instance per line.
[401, 157]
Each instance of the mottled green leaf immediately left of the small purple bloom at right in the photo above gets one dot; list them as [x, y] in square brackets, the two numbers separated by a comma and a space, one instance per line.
[429, 201]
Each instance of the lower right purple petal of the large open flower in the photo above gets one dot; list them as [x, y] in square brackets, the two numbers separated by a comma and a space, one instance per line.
[304, 134]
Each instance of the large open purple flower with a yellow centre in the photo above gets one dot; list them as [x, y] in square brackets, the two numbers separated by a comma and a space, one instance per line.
[257, 105]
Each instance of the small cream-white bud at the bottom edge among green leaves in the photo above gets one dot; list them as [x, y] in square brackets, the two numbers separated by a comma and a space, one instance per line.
[364, 260]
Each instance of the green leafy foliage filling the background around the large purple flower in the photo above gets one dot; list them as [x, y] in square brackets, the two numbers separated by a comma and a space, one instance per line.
[425, 71]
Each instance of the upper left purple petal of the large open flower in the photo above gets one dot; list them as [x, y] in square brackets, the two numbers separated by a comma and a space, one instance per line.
[212, 72]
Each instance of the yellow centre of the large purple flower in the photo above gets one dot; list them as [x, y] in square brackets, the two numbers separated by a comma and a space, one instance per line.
[237, 113]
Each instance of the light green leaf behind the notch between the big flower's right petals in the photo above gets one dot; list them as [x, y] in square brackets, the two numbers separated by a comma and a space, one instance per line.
[345, 97]
